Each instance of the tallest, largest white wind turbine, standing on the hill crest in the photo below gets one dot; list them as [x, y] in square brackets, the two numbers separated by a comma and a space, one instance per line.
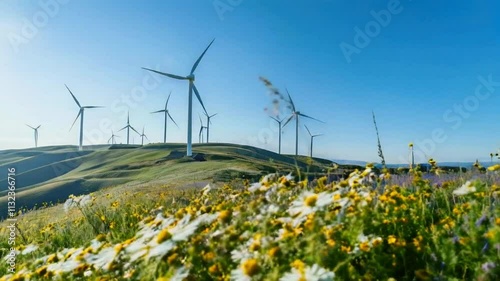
[192, 88]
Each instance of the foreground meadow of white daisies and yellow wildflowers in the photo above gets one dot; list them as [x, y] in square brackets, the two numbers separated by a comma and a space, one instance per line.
[363, 227]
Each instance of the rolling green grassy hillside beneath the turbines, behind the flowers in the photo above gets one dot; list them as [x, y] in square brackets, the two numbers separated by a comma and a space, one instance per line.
[51, 174]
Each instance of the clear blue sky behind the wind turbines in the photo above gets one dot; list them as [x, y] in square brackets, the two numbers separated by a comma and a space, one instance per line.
[413, 73]
